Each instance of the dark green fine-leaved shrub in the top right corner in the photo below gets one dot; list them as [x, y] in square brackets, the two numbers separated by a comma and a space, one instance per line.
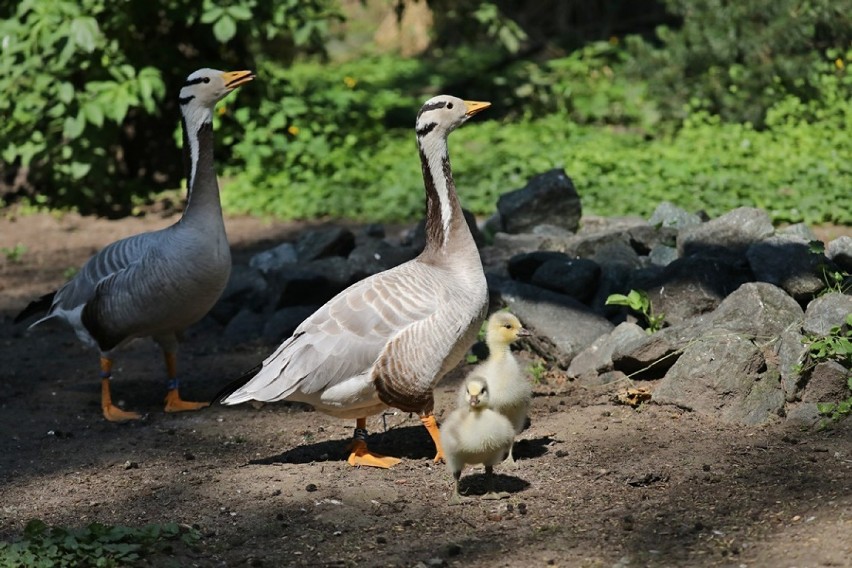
[736, 59]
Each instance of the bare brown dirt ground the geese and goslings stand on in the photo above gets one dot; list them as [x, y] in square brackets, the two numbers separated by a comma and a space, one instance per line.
[597, 483]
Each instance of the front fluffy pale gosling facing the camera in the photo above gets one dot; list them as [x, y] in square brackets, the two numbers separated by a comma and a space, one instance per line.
[475, 433]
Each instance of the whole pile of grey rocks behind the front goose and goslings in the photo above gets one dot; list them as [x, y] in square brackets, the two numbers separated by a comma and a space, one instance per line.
[738, 297]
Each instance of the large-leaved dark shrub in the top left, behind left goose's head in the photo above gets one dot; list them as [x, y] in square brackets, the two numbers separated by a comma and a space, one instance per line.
[88, 121]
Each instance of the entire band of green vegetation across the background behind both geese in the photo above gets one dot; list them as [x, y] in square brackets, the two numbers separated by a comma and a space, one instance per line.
[710, 104]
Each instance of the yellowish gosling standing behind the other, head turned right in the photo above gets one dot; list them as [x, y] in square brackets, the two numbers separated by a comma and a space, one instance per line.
[510, 392]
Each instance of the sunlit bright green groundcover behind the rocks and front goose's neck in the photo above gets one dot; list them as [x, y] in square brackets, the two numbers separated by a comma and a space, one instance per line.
[794, 168]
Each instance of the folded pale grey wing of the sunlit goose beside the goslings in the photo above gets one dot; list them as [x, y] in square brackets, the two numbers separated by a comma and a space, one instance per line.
[345, 337]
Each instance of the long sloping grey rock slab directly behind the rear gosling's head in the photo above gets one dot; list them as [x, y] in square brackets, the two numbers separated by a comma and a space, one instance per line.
[570, 325]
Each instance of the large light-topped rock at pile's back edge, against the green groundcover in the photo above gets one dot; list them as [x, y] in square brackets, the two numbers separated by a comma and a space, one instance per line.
[730, 234]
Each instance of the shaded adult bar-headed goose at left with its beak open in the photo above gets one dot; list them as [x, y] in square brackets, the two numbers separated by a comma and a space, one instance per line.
[157, 284]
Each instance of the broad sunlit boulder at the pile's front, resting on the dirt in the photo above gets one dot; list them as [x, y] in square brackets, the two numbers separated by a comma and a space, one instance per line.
[721, 376]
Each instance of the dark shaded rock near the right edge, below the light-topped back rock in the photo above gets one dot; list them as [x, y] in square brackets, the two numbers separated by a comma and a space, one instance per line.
[788, 262]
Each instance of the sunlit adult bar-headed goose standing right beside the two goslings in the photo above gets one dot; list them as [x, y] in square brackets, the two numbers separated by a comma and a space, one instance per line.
[387, 340]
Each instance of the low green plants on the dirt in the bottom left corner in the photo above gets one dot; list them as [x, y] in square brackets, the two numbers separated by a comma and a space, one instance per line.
[97, 544]
